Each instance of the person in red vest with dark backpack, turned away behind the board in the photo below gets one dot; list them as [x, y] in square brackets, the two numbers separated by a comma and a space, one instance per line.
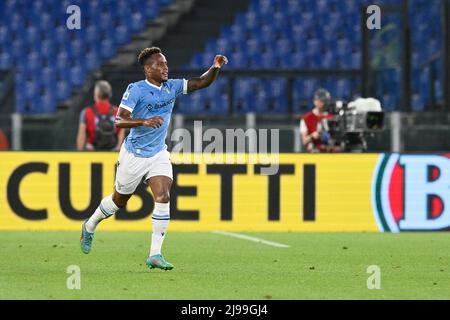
[97, 130]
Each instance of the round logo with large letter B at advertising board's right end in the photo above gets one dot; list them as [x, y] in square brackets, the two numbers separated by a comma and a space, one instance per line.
[412, 192]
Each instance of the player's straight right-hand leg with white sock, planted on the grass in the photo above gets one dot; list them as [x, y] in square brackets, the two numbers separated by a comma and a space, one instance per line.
[160, 186]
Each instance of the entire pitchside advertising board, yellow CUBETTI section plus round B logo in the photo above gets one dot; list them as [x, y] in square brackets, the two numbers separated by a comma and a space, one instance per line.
[339, 192]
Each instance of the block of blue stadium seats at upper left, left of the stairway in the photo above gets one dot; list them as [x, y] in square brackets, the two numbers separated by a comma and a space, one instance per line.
[50, 60]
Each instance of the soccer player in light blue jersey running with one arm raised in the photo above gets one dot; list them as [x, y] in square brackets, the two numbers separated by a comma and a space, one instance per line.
[146, 108]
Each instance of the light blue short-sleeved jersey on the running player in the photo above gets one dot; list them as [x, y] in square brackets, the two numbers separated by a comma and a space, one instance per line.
[145, 100]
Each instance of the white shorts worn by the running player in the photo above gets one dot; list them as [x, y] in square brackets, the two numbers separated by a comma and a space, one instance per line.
[132, 170]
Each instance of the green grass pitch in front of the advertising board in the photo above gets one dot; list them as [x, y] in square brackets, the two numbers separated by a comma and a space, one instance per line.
[210, 266]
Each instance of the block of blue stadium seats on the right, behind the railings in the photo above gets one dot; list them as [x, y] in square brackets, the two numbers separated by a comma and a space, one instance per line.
[310, 34]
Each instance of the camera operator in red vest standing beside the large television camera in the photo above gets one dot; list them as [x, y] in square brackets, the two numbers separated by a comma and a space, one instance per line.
[314, 125]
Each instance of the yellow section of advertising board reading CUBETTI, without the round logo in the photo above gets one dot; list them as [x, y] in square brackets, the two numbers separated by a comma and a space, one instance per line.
[58, 190]
